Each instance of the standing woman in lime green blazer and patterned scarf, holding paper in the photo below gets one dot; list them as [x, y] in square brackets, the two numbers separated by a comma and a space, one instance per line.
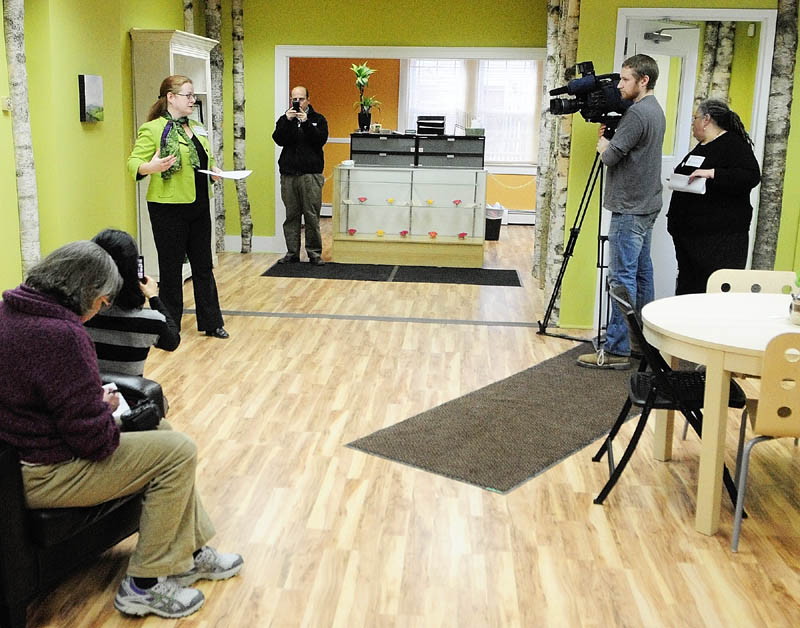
[172, 148]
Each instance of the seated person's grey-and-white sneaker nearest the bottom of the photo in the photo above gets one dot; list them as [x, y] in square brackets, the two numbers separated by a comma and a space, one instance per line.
[166, 598]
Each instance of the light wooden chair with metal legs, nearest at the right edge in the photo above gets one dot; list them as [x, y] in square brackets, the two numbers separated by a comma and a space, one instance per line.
[776, 414]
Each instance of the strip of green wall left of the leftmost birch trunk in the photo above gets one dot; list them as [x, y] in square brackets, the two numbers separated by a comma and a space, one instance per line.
[10, 258]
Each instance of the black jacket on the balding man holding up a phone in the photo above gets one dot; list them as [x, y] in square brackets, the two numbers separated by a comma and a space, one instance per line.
[302, 143]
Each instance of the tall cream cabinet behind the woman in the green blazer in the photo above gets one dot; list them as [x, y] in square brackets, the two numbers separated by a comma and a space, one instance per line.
[157, 54]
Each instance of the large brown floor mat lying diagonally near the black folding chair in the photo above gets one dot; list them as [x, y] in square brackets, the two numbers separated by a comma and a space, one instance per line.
[500, 436]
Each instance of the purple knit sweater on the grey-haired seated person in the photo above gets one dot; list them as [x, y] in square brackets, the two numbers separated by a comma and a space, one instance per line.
[51, 400]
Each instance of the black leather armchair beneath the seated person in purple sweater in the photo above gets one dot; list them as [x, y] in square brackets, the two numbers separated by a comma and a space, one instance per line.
[38, 547]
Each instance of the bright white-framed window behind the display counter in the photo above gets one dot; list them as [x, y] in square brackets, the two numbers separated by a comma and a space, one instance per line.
[500, 95]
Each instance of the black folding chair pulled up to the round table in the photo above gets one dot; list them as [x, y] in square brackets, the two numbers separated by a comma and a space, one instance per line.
[660, 388]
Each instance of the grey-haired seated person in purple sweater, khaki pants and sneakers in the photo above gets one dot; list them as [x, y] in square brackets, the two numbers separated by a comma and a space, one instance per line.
[55, 413]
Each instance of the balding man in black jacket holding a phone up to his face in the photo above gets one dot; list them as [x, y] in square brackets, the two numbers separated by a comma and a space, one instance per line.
[302, 132]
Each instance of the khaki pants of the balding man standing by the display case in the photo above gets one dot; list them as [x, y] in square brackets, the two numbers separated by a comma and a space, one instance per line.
[302, 196]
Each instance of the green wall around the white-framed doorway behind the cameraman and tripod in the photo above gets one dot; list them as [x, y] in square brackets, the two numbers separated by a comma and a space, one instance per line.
[596, 42]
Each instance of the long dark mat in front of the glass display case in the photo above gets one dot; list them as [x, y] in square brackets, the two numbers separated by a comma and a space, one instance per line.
[408, 274]
